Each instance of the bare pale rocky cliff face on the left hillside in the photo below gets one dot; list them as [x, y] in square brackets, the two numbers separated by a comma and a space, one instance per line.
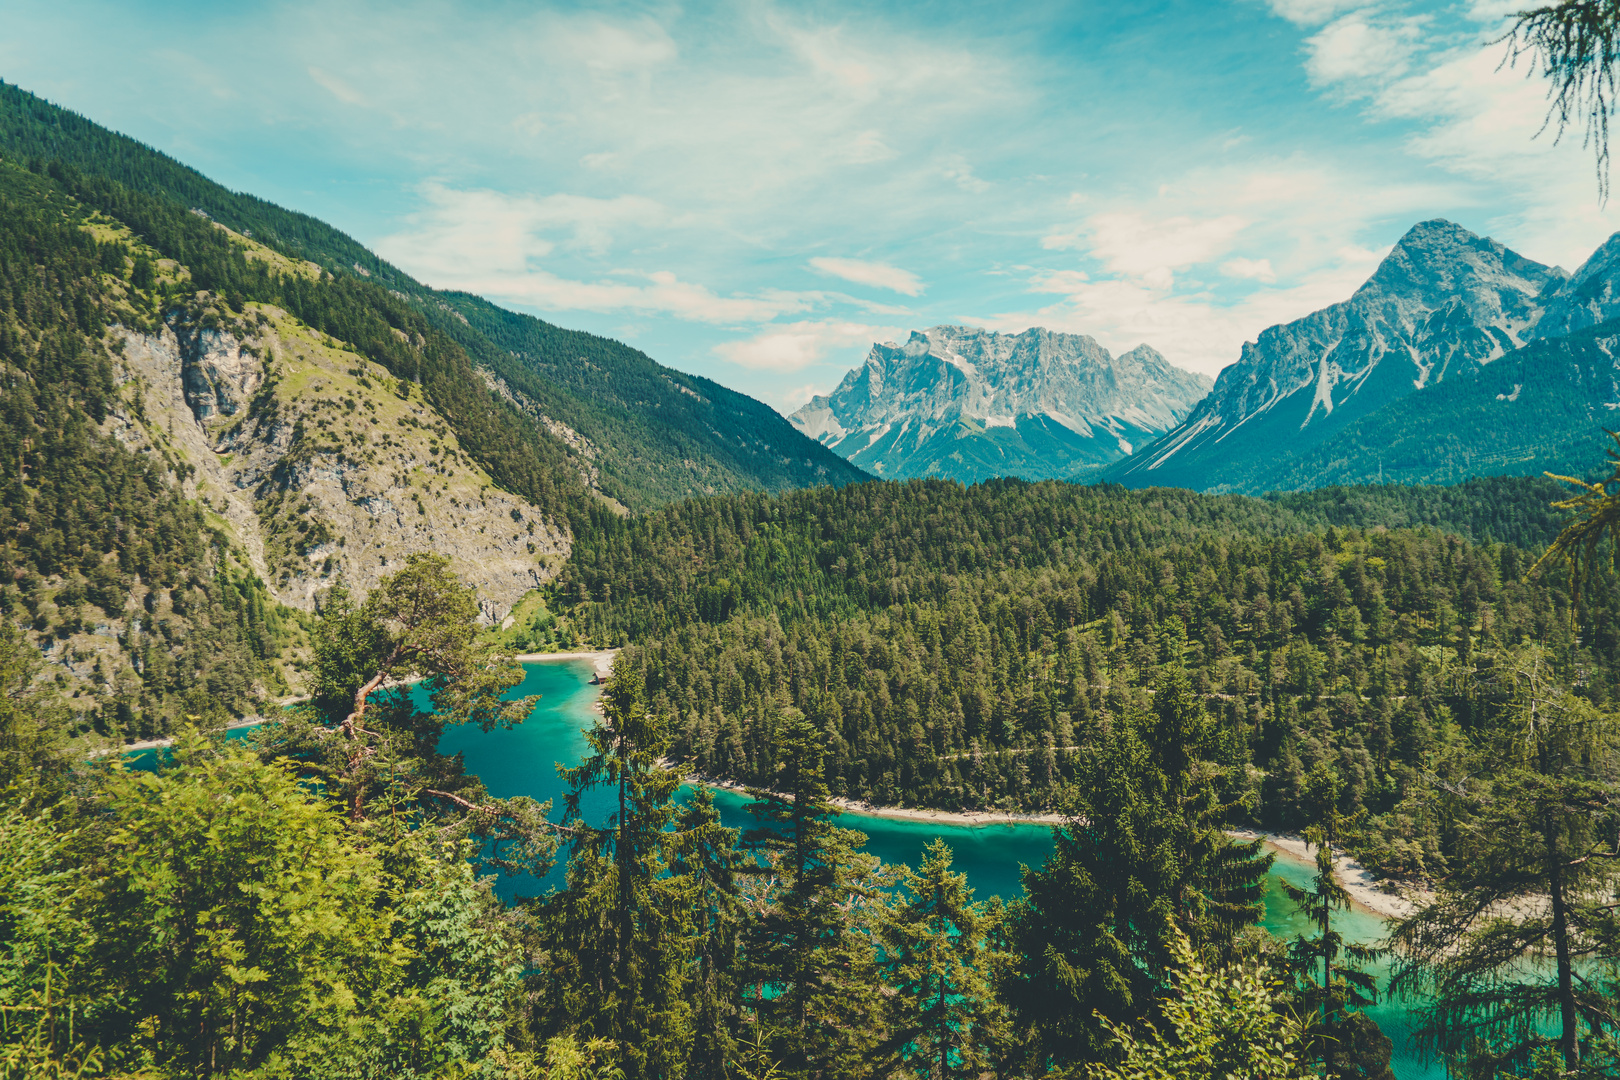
[320, 466]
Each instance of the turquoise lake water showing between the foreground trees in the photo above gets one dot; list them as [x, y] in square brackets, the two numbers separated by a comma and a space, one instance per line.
[524, 762]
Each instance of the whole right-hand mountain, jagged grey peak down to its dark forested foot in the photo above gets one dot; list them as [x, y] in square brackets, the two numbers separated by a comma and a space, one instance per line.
[1454, 360]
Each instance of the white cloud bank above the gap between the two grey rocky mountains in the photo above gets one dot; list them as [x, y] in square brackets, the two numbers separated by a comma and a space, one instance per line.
[1307, 218]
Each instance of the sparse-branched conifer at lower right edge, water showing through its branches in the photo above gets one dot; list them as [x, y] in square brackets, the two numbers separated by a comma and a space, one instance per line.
[1535, 875]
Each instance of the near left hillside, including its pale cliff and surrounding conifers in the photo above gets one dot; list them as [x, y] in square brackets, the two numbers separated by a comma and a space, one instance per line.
[203, 432]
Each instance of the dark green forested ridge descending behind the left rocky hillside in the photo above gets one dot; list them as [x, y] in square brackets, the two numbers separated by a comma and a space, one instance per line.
[644, 433]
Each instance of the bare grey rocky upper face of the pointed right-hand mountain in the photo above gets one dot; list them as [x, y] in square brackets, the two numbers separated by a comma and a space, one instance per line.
[1441, 307]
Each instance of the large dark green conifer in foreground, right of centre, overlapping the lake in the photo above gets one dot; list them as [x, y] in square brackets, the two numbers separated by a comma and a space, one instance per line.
[1140, 862]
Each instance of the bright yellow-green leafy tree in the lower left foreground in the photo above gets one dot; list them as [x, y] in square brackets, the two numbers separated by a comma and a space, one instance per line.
[232, 924]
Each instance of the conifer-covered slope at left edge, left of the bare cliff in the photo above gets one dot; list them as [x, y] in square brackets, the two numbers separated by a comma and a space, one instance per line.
[93, 532]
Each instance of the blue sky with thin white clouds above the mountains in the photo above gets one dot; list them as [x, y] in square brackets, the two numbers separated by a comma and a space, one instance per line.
[759, 192]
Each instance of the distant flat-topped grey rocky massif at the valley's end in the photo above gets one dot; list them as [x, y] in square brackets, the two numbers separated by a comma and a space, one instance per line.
[973, 404]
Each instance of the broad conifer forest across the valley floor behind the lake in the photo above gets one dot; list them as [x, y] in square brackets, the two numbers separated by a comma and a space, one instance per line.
[961, 647]
